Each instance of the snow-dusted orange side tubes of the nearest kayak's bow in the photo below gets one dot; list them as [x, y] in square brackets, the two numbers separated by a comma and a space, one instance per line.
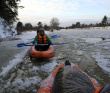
[48, 83]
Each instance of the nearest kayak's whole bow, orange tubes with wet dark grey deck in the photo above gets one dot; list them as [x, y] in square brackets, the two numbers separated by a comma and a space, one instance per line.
[78, 80]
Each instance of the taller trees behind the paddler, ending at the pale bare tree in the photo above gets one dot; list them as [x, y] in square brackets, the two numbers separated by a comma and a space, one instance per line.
[54, 24]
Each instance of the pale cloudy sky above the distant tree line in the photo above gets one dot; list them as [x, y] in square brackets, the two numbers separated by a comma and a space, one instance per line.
[67, 11]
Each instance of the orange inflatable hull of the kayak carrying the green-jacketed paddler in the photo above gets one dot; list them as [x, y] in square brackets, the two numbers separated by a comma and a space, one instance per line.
[38, 54]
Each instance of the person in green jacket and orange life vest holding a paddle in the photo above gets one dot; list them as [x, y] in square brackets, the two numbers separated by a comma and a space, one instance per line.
[42, 38]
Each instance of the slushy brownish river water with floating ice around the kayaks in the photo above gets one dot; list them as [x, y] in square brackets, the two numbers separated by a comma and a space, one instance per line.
[82, 48]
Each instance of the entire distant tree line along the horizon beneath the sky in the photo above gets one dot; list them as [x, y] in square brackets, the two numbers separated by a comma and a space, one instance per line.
[54, 24]
